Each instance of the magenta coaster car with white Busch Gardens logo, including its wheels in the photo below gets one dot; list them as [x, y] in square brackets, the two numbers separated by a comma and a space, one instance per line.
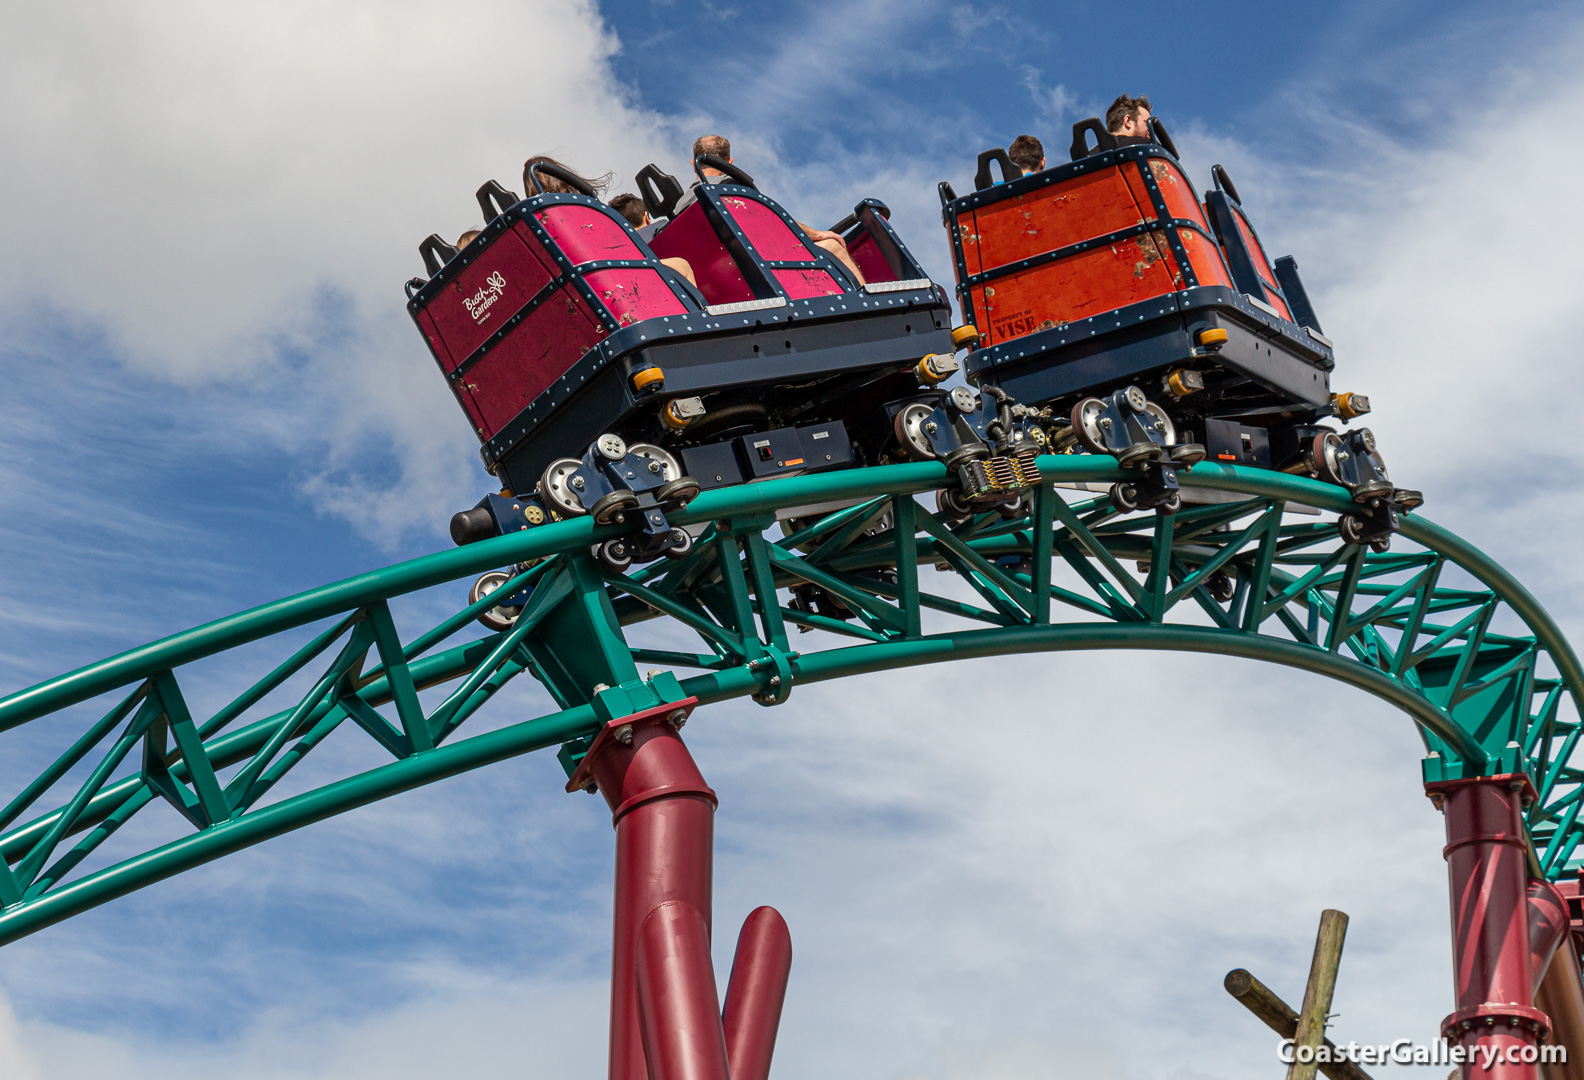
[560, 327]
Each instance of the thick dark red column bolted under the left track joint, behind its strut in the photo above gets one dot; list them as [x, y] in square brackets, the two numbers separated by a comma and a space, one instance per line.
[664, 818]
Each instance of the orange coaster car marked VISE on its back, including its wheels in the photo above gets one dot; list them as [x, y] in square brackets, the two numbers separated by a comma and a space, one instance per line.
[1105, 276]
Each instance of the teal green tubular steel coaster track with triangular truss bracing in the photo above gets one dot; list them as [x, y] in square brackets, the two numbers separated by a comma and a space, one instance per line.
[1255, 572]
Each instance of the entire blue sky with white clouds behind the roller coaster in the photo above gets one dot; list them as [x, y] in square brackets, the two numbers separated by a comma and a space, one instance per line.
[210, 397]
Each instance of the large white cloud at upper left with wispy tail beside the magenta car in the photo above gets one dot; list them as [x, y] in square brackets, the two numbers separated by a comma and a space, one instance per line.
[235, 196]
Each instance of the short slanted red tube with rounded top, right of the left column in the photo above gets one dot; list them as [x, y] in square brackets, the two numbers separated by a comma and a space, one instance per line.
[756, 994]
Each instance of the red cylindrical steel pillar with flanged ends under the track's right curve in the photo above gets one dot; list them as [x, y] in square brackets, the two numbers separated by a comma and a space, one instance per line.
[1487, 864]
